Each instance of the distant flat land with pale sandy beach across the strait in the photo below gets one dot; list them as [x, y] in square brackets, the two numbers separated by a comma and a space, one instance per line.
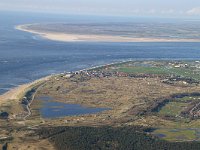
[115, 32]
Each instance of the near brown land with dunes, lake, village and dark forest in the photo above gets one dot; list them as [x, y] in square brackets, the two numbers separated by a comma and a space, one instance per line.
[152, 104]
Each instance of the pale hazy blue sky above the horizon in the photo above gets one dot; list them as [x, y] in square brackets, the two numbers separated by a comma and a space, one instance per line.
[153, 8]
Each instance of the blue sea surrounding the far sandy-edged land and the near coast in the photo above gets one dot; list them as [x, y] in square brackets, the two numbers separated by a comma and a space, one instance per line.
[25, 57]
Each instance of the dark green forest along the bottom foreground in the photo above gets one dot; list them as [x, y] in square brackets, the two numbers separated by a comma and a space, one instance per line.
[109, 138]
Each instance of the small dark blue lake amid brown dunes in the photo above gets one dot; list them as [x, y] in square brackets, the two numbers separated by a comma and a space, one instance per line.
[52, 109]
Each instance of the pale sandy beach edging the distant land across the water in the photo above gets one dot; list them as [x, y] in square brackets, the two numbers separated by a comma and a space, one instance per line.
[64, 37]
